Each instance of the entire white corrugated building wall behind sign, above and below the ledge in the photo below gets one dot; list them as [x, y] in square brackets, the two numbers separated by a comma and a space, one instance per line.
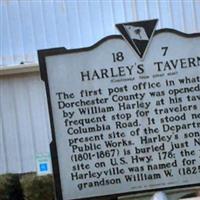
[28, 25]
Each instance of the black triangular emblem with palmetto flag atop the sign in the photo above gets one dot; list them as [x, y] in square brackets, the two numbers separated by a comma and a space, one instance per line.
[138, 34]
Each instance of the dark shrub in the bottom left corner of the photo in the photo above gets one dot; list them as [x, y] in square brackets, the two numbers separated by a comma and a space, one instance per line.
[10, 187]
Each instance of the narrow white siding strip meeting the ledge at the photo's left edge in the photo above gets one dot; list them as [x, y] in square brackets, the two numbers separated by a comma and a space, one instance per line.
[10, 127]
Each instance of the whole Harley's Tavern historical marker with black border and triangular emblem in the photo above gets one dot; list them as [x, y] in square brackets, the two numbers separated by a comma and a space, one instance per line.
[125, 112]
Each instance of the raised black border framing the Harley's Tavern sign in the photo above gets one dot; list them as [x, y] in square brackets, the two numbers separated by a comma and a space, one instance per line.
[42, 54]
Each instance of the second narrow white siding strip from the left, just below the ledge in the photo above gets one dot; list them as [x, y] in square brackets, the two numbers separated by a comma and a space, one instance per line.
[26, 145]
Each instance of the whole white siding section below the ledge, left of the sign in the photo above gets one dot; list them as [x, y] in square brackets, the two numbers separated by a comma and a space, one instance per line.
[24, 123]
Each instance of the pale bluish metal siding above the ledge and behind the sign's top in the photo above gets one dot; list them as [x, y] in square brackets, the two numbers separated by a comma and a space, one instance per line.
[31, 25]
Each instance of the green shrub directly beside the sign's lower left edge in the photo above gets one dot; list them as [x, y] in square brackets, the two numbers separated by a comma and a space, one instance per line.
[37, 187]
